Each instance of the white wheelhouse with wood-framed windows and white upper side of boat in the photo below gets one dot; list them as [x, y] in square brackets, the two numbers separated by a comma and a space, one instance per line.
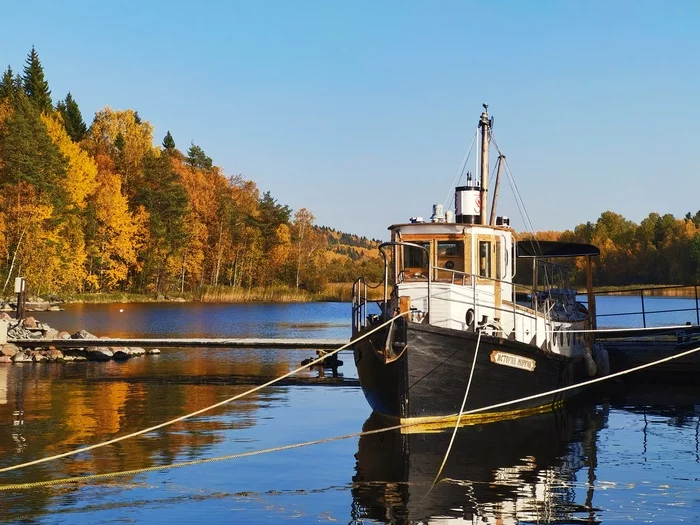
[460, 276]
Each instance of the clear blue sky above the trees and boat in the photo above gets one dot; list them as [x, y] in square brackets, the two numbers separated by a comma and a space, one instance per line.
[362, 111]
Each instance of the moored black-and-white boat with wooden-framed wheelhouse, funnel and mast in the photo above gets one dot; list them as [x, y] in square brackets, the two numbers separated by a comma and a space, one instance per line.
[452, 321]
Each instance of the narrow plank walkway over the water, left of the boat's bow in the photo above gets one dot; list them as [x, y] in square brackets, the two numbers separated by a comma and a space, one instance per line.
[203, 342]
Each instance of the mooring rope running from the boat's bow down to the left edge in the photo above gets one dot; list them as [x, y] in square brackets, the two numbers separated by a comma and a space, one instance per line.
[202, 410]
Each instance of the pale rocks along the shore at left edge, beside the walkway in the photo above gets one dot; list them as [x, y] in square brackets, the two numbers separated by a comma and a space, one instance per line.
[31, 329]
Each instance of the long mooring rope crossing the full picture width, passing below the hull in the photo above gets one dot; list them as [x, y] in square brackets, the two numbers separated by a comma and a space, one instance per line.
[22, 486]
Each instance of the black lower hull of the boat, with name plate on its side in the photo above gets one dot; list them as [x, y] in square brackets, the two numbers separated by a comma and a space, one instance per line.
[428, 377]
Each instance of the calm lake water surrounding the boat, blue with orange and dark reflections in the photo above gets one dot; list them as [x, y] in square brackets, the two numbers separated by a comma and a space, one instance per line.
[631, 454]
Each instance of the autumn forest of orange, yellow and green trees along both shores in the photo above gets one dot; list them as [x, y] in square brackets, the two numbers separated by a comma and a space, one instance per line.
[99, 208]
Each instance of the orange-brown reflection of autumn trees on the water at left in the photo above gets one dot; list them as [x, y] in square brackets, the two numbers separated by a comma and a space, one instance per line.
[51, 409]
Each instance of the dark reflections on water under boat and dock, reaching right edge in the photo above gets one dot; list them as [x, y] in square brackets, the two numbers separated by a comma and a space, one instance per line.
[540, 469]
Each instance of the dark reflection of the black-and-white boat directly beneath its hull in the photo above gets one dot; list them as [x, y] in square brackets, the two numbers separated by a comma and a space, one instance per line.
[509, 471]
